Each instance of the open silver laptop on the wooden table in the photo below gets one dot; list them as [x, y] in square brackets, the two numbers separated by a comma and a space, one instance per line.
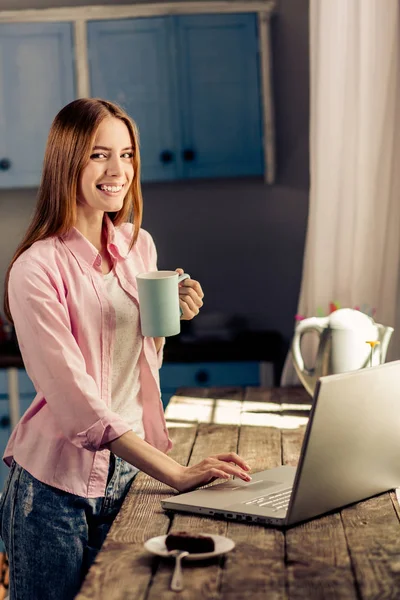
[350, 452]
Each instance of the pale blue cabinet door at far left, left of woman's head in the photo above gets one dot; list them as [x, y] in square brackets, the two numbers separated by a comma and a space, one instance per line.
[36, 81]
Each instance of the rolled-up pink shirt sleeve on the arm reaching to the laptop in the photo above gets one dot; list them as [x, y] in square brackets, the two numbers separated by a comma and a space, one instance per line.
[54, 361]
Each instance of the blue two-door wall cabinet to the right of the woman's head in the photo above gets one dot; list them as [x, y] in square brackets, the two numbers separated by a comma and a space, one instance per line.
[191, 83]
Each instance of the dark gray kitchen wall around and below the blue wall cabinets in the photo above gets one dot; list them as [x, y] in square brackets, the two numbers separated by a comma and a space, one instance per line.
[243, 240]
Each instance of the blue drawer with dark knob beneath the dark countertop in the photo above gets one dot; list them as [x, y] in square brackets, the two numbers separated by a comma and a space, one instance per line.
[173, 375]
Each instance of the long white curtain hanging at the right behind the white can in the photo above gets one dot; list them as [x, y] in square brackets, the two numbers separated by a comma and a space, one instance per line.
[353, 237]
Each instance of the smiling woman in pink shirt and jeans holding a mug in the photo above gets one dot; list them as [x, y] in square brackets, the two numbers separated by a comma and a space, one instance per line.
[97, 417]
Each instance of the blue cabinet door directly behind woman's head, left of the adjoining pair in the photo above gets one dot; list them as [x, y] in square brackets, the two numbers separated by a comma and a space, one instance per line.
[131, 63]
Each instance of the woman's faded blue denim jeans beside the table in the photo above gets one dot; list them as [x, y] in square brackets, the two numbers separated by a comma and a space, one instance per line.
[51, 536]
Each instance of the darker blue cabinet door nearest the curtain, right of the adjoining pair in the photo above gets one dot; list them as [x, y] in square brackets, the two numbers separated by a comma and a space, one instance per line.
[220, 95]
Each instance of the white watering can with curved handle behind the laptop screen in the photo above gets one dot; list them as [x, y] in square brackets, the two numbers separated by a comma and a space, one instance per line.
[342, 344]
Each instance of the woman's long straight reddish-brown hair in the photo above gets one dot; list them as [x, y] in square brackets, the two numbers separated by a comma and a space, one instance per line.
[68, 150]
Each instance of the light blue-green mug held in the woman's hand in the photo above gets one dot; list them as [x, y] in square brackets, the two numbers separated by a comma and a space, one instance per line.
[160, 314]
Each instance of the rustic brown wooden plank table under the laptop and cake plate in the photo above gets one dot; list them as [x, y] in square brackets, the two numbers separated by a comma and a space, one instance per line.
[354, 553]
